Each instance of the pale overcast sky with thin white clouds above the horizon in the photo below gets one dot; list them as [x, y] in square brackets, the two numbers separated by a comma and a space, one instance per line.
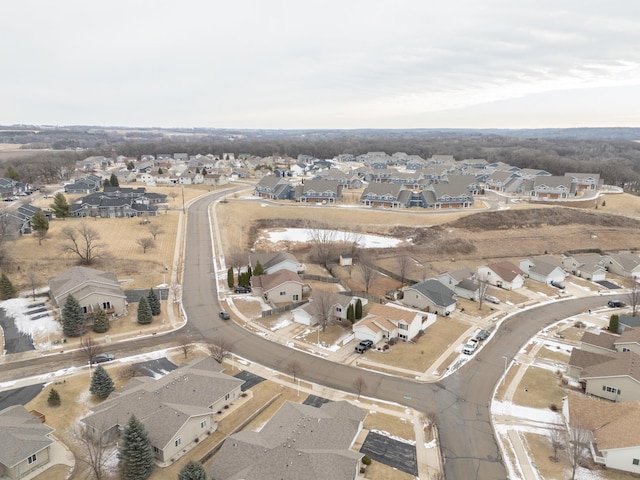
[321, 64]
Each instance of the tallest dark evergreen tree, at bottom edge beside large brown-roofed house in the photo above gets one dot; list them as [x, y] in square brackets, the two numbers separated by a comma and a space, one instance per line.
[135, 452]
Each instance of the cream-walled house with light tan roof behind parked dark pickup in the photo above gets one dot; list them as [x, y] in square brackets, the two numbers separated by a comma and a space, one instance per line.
[384, 322]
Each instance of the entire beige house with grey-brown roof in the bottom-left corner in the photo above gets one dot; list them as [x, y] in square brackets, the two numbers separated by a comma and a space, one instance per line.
[25, 443]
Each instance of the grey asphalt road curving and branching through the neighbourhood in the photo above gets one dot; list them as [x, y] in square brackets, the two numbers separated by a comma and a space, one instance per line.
[461, 401]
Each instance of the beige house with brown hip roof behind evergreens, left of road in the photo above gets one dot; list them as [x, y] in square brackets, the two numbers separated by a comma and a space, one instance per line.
[91, 288]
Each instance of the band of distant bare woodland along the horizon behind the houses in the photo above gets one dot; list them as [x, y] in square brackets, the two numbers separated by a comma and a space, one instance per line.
[616, 160]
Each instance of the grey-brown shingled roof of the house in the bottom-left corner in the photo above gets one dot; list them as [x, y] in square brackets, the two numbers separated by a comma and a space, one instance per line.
[22, 435]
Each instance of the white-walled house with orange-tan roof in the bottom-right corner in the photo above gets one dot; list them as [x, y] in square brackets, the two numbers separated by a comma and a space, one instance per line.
[610, 430]
